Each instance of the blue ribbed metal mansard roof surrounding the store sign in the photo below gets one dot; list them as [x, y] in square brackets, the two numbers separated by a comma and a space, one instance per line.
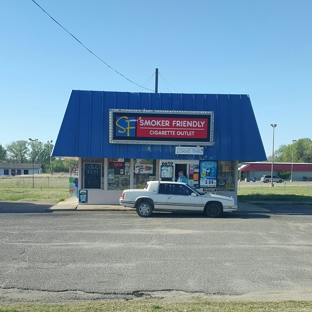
[85, 128]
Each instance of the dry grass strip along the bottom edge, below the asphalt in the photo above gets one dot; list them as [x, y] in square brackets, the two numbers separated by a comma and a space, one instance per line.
[162, 306]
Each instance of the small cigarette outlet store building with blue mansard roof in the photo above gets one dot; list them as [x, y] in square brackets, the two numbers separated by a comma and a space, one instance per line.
[124, 139]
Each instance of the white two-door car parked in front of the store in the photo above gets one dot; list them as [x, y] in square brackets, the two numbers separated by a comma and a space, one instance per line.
[175, 196]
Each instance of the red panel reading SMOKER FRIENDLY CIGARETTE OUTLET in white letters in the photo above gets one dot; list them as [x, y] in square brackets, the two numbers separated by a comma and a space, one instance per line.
[176, 127]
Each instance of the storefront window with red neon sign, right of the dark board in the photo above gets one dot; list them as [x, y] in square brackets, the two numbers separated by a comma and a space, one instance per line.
[118, 173]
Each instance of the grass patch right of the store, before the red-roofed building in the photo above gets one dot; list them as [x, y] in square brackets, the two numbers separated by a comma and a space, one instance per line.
[298, 194]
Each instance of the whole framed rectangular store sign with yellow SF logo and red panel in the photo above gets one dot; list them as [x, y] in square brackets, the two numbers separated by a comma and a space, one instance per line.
[161, 127]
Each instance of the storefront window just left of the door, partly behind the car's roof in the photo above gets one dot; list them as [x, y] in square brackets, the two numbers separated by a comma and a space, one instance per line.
[144, 170]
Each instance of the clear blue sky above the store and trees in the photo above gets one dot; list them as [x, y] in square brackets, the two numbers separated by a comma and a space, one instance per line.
[261, 48]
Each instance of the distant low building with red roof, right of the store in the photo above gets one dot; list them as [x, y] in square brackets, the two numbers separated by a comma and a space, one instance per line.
[300, 171]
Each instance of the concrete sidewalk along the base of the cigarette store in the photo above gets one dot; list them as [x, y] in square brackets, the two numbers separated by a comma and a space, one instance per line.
[71, 203]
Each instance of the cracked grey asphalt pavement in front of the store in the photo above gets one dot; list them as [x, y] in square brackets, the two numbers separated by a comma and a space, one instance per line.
[88, 255]
